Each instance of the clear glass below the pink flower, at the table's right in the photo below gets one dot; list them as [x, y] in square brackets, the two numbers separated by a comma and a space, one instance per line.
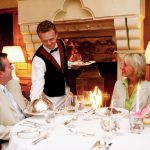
[136, 124]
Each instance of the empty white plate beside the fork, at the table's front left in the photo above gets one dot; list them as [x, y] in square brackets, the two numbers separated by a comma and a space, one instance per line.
[28, 134]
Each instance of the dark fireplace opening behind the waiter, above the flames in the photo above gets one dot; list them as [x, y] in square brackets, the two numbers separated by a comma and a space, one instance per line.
[102, 73]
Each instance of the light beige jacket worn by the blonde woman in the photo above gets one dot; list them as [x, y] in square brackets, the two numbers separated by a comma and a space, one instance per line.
[119, 95]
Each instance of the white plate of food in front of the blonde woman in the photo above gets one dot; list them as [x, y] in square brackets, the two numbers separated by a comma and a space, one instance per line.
[120, 112]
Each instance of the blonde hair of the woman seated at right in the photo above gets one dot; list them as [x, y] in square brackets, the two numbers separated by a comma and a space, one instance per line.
[138, 62]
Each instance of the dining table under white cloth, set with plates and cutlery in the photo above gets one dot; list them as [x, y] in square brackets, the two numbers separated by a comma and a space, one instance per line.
[80, 130]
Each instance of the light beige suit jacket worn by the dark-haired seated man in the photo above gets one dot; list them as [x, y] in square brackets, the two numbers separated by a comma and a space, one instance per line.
[8, 115]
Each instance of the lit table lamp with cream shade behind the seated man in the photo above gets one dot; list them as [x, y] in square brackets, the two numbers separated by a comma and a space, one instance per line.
[14, 54]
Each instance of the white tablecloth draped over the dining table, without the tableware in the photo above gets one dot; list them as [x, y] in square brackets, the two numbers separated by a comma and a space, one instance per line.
[61, 139]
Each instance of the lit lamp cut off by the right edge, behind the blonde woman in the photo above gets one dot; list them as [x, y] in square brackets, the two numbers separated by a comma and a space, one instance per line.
[147, 56]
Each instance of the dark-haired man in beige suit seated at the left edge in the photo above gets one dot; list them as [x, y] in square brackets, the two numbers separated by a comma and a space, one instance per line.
[12, 101]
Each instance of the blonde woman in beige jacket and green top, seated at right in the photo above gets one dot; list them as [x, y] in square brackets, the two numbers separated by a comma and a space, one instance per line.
[125, 91]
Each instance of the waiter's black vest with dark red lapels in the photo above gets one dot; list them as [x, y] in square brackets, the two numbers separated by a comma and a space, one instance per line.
[55, 76]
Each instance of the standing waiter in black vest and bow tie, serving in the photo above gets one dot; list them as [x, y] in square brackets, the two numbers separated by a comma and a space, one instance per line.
[49, 68]
